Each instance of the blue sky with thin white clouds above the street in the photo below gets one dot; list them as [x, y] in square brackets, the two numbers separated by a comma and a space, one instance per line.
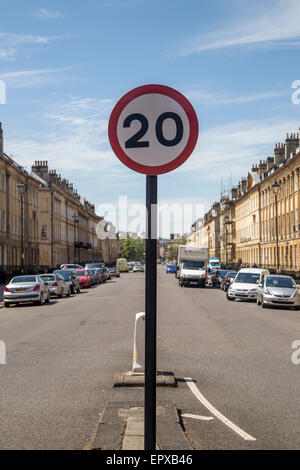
[66, 64]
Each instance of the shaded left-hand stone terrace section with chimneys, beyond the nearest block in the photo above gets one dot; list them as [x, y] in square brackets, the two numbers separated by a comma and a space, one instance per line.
[68, 222]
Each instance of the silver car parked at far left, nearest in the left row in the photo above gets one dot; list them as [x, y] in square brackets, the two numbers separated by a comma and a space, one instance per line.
[26, 289]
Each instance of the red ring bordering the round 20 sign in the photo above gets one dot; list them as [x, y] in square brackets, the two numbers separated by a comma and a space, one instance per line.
[192, 138]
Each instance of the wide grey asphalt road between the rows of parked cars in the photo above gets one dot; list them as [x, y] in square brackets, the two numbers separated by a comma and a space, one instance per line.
[61, 360]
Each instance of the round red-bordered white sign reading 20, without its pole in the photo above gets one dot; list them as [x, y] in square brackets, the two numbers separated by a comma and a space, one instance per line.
[153, 129]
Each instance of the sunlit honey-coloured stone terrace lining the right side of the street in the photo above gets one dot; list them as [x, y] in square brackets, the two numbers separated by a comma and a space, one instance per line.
[248, 235]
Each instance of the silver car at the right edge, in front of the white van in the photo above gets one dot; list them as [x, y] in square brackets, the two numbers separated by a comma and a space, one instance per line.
[278, 290]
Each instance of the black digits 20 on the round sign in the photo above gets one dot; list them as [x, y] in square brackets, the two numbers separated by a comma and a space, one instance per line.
[135, 142]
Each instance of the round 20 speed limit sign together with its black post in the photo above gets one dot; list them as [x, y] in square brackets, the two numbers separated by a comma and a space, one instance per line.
[153, 129]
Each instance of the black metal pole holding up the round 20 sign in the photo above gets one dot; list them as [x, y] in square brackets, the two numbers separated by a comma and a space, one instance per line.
[150, 317]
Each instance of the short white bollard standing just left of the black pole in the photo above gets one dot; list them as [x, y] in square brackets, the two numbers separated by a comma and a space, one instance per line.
[138, 367]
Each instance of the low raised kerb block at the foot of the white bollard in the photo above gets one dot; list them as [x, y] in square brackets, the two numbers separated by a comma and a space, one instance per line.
[128, 379]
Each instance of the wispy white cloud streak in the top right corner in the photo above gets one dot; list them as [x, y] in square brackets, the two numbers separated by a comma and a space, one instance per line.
[276, 23]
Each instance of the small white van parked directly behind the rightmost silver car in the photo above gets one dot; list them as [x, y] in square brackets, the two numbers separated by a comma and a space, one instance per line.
[245, 284]
